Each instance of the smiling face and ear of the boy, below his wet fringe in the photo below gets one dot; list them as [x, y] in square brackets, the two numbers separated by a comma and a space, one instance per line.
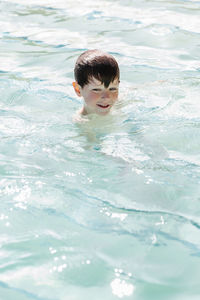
[97, 98]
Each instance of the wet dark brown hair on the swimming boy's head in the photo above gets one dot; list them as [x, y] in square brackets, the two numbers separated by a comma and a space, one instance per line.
[98, 64]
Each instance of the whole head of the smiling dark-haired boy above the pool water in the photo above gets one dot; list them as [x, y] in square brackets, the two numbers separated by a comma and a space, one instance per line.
[97, 81]
